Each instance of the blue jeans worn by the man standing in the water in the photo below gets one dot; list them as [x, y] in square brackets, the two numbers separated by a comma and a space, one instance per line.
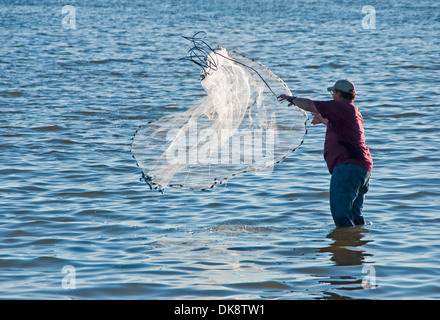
[348, 185]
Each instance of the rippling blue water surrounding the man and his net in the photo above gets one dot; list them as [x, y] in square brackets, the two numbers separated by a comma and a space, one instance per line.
[76, 222]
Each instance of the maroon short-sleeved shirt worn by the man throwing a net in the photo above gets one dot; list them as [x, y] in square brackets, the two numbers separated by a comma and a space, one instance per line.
[344, 139]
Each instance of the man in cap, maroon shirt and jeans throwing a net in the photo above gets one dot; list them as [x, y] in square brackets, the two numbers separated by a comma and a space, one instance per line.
[346, 154]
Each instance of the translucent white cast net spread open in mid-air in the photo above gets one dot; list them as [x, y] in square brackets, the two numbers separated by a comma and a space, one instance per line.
[239, 127]
